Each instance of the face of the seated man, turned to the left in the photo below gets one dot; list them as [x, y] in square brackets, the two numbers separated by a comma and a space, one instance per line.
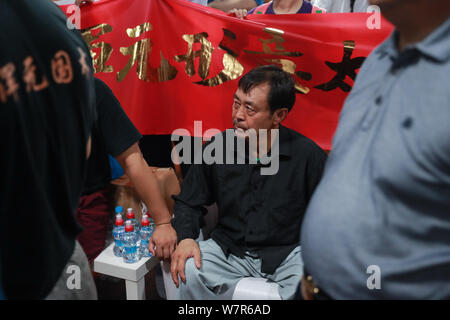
[251, 110]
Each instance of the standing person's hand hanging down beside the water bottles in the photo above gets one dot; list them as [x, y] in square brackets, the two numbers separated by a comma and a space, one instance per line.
[165, 239]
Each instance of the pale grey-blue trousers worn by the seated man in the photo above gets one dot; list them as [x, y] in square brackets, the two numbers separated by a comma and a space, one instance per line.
[219, 275]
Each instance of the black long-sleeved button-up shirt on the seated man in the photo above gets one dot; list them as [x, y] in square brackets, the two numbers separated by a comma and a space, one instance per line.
[259, 213]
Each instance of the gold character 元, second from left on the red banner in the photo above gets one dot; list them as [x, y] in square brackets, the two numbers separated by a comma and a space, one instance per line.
[139, 54]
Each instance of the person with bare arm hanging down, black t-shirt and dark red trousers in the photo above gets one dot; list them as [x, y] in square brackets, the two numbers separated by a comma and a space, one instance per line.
[116, 135]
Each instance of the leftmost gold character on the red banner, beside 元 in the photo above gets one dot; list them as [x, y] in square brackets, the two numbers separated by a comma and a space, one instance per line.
[106, 49]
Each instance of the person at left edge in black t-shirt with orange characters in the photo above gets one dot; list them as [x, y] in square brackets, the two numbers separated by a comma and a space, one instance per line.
[47, 108]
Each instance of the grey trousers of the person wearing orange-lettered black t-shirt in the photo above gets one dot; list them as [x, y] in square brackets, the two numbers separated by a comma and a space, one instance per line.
[76, 281]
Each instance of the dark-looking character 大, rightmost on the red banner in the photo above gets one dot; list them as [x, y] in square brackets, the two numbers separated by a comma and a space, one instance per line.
[347, 67]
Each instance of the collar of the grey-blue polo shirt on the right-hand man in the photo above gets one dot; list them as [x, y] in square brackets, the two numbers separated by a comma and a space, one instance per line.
[436, 45]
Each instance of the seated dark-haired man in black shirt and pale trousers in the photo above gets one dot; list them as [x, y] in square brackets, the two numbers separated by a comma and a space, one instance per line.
[258, 228]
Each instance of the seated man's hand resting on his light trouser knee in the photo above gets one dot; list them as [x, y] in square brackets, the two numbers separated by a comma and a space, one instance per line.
[187, 248]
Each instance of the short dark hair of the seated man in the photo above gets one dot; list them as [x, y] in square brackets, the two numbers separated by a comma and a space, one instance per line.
[282, 85]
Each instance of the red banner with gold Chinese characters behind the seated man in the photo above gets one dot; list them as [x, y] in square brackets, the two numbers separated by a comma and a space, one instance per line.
[171, 62]
